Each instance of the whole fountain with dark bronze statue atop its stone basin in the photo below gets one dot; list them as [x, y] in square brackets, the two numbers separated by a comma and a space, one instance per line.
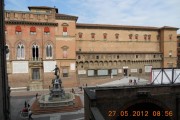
[57, 96]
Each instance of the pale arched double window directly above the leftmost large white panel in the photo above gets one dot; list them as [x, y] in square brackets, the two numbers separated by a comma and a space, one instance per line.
[20, 51]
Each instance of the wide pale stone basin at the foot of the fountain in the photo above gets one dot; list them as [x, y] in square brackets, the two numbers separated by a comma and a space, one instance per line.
[45, 101]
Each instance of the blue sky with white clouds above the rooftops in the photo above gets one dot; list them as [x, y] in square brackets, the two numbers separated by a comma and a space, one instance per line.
[156, 13]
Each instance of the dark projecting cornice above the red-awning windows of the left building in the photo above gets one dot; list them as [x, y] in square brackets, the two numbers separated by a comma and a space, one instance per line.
[31, 23]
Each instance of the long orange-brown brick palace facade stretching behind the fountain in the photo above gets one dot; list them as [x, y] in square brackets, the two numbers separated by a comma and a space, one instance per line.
[42, 37]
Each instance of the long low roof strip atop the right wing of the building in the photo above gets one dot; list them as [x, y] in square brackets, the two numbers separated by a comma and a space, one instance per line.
[111, 26]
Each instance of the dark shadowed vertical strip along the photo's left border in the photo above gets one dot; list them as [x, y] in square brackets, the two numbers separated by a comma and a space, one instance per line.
[4, 89]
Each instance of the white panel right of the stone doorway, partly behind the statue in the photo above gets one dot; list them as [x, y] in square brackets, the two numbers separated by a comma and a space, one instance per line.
[49, 66]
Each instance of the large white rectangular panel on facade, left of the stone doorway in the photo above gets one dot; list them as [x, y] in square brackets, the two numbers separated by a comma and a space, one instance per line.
[20, 66]
